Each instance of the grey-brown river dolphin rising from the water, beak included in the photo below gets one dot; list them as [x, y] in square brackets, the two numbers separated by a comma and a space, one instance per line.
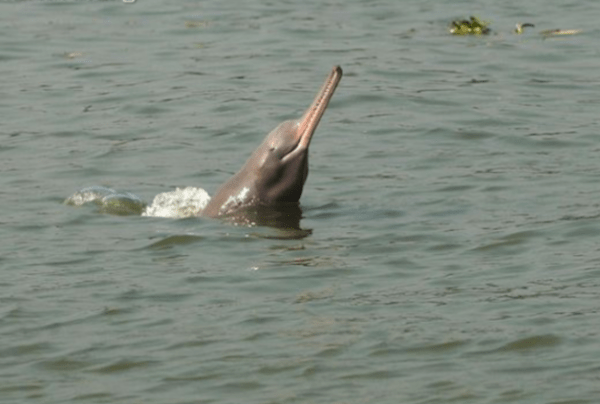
[277, 170]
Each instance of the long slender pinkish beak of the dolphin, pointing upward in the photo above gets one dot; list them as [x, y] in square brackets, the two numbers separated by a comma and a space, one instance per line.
[309, 121]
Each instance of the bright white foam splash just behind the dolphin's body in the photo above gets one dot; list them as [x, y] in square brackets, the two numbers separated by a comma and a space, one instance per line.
[180, 203]
